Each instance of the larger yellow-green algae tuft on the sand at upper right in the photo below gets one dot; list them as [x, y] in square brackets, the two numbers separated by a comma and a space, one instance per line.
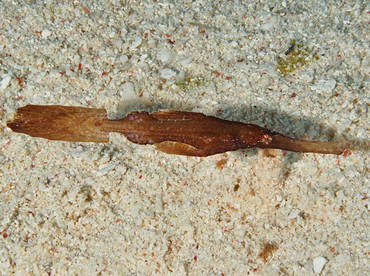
[296, 56]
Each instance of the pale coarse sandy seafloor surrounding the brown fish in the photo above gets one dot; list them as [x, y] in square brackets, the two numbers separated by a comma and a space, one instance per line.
[124, 209]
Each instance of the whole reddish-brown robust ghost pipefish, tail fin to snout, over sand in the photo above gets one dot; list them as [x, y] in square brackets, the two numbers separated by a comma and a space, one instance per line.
[174, 132]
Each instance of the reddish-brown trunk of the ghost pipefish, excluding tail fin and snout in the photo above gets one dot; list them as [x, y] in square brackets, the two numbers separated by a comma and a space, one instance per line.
[204, 135]
